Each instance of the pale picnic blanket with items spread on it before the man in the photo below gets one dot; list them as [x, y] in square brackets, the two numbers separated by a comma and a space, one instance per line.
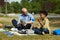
[23, 32]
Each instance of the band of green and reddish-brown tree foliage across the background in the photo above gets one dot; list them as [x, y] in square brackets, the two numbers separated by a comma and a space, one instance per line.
[52, 6]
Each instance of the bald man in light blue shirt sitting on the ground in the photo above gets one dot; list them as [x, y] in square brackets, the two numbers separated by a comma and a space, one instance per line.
[24, 21]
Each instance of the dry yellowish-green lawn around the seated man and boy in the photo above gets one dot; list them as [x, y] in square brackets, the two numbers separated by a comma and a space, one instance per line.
[54, 24]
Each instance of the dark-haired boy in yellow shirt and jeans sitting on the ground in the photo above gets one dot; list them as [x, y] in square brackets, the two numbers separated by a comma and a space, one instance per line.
[44, 22]
